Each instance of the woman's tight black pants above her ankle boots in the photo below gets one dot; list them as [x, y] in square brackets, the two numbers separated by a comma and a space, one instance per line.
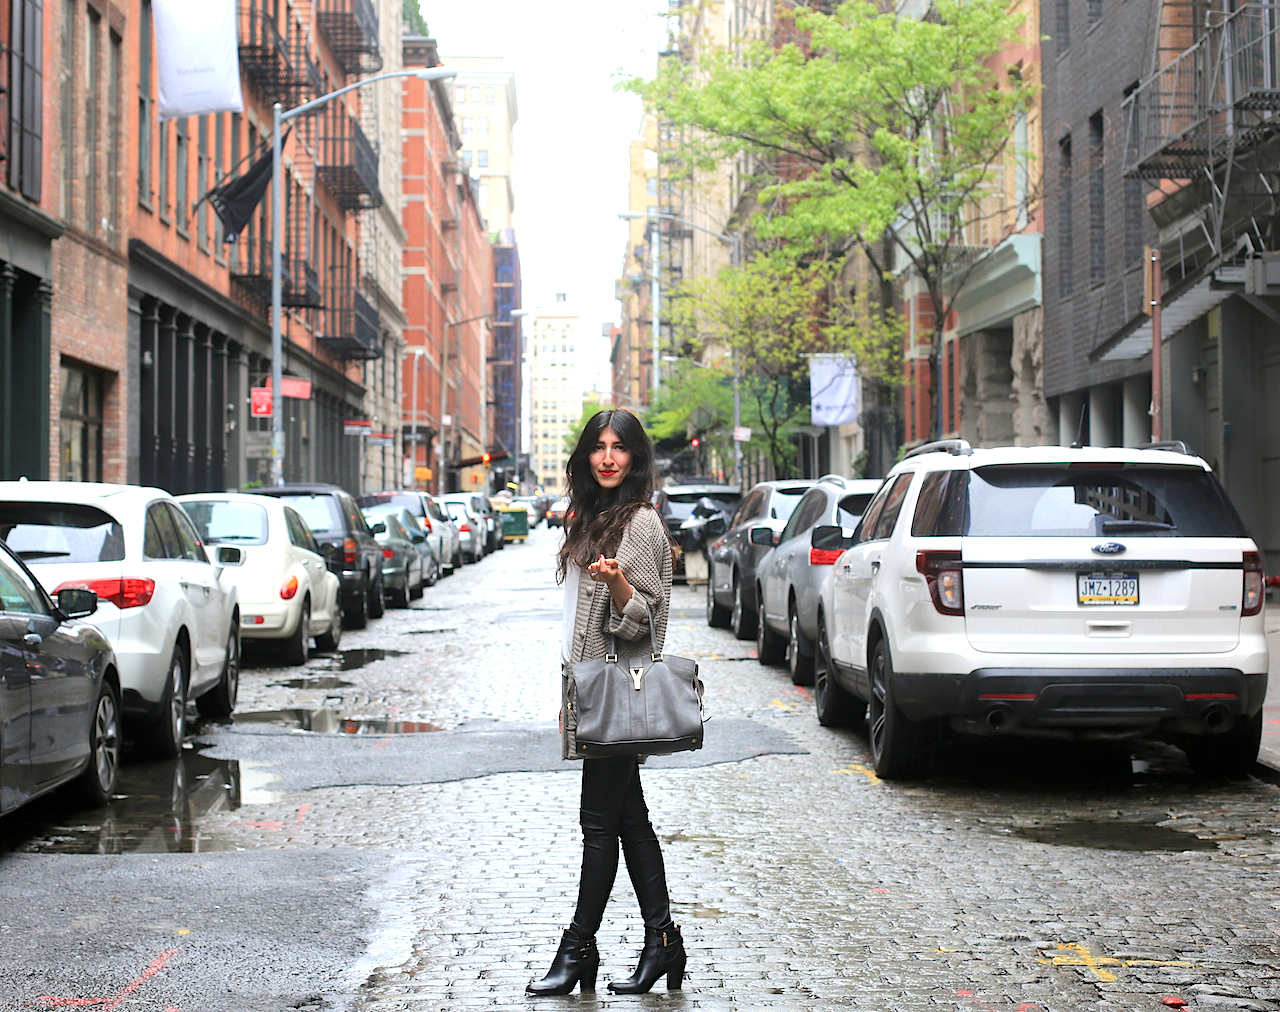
[614, 810]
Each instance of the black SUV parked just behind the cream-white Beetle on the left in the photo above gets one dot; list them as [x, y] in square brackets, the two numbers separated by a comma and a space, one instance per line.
[348, 543]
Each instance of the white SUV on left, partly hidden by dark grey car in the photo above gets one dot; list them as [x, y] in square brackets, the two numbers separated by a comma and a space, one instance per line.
[171, 615]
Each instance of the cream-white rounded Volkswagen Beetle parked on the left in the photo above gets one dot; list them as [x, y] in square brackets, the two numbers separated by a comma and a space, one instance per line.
[287, 592]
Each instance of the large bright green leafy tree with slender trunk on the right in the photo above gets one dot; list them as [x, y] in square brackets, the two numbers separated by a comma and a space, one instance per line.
[880, 127]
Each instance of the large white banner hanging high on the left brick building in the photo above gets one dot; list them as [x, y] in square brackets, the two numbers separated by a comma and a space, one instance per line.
[198, 58]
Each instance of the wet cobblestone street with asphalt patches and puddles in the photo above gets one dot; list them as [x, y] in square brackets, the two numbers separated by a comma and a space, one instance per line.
[392, 830]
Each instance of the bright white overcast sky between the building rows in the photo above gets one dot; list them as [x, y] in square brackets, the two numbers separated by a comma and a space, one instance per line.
[574, 130]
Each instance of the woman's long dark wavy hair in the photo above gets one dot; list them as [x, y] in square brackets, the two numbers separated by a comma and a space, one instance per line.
[598, 518]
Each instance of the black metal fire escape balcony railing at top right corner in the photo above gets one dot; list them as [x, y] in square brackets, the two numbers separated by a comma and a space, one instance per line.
[1220, 97]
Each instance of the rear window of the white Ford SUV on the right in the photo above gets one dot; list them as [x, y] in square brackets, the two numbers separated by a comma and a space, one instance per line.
[1094, 502]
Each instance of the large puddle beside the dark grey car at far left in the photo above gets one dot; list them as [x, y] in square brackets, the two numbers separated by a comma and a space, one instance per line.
[157, 809]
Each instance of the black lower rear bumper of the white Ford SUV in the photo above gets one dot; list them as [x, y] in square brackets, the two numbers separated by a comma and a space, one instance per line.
[1052, 702]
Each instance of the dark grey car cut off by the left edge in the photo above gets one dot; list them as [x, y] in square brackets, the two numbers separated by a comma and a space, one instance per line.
[62, 692]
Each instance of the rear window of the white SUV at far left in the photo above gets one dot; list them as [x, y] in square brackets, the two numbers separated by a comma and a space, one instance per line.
[56, 533]
